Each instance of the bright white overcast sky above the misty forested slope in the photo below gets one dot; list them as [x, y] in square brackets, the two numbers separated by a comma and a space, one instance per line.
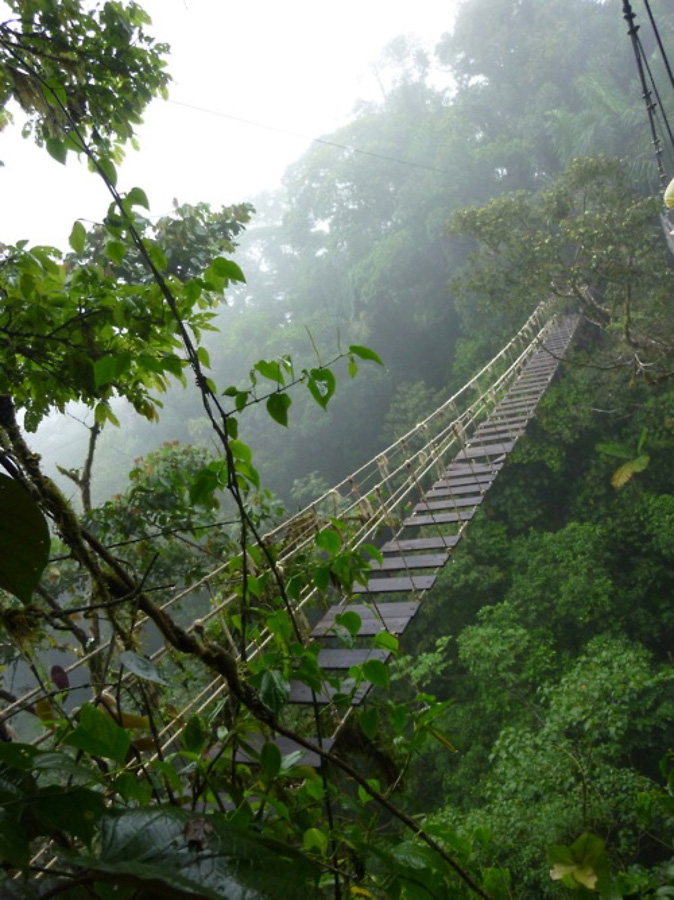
[297, 66]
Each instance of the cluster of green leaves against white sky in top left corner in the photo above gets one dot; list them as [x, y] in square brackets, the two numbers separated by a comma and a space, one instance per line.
[79, 72]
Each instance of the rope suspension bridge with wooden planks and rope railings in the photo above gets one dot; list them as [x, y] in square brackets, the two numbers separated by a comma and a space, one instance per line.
[412, 502]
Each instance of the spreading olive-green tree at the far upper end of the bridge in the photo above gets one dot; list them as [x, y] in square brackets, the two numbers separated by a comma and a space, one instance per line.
[590, 240]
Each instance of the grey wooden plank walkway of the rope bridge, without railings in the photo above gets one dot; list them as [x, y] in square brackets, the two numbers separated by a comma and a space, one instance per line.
[413, 558]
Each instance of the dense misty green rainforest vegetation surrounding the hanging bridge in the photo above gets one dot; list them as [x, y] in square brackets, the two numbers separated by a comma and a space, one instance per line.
[521, 742]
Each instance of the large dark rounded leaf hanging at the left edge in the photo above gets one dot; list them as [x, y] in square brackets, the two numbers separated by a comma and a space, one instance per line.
[24, 540]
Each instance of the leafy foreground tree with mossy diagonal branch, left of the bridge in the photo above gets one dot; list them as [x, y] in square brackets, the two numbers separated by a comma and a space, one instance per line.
[113, 816]
